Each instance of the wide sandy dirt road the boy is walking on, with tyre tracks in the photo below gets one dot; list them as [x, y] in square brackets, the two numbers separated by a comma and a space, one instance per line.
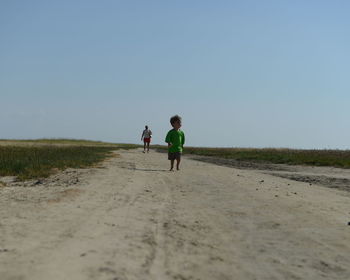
[133, 219]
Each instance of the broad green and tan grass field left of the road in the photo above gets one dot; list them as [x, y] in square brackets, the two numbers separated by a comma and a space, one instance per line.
[28, 159]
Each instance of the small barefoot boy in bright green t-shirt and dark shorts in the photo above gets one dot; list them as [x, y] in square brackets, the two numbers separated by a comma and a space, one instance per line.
[175, 139]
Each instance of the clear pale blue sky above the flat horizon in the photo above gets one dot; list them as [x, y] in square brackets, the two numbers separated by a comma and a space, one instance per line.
[271, 73]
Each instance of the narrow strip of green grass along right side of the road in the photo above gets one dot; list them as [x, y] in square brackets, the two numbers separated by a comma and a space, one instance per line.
[335, 158]
